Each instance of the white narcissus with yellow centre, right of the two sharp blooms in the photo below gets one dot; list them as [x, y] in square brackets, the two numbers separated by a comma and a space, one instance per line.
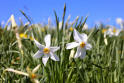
[80, 43]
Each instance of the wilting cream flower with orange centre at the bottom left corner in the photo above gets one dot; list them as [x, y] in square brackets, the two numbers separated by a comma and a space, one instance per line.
[31, 74]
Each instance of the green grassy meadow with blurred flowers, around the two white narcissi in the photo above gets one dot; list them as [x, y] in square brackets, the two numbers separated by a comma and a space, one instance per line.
[103, 63]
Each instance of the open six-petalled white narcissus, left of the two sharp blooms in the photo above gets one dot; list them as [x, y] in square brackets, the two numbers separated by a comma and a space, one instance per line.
[46, 51]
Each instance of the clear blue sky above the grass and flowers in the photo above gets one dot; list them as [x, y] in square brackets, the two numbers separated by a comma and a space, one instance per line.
[39, 10]
